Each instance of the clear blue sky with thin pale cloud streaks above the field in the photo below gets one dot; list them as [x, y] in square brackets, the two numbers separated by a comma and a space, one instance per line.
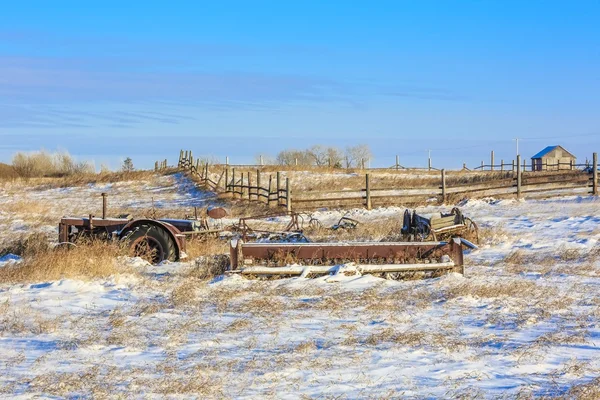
[239, 78]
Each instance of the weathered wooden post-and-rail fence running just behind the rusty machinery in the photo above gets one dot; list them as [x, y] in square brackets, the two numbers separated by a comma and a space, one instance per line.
[514, 182]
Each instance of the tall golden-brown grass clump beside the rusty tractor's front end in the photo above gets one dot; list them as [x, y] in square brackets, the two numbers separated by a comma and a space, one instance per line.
[94, 259]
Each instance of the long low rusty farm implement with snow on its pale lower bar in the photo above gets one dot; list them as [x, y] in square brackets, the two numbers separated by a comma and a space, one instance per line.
[391, 260]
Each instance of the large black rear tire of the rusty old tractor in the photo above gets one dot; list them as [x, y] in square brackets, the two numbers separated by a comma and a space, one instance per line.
[152, 243]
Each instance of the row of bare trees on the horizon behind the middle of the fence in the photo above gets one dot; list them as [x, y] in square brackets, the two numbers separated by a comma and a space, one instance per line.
[326, 156]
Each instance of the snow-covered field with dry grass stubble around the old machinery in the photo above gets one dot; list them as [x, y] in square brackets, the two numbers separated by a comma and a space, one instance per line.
[522, 322]
